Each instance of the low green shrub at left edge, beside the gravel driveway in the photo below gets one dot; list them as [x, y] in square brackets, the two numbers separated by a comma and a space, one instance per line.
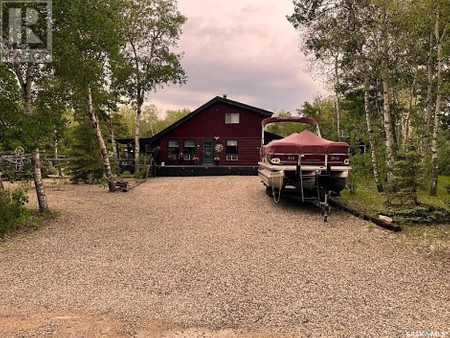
[13, 214]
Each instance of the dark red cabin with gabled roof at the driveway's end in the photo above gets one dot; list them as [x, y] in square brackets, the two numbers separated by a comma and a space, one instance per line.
[221, 137]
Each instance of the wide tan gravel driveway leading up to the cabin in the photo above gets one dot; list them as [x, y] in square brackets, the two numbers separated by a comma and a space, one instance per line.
[212, 256]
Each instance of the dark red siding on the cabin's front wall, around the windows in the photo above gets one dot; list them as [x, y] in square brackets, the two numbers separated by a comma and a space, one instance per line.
[210, 125]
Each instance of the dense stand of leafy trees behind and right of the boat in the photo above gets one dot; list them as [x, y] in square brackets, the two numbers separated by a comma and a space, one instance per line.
[387, 59]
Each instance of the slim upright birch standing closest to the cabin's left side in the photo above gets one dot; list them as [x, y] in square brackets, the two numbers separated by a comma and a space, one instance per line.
[151, 32]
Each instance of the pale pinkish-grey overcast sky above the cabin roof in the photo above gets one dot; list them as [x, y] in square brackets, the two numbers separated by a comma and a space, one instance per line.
[244, 48]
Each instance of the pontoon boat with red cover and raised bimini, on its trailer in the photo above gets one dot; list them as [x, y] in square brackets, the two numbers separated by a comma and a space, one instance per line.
[303, 165]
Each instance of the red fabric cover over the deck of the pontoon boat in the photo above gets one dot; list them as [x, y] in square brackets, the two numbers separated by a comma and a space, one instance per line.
[305, 142]
